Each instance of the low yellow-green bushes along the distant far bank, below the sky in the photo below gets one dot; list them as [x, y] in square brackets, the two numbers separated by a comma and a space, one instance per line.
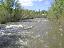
[26, 14]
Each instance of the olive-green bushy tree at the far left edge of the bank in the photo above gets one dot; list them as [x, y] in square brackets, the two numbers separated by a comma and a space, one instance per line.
[3, 13]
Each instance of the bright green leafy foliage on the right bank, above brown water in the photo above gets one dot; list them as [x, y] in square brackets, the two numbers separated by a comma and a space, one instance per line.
[57, 9]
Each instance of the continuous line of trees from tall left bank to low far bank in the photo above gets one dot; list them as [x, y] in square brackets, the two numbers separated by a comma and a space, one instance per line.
[11, 11]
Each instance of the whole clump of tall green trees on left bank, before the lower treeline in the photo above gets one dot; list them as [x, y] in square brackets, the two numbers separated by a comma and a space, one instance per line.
[9, 11]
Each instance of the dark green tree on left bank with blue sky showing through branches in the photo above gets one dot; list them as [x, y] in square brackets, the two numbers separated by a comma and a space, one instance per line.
[14, 8]
